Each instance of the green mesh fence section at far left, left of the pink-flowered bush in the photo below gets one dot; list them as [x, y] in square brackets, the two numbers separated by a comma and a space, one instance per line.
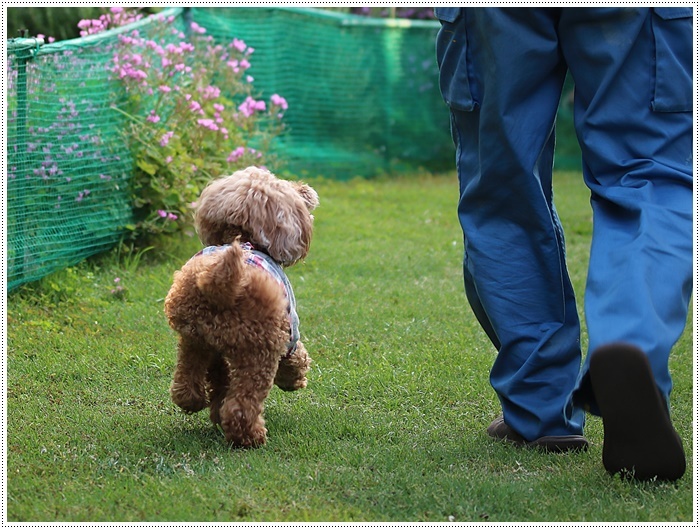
[68, 168]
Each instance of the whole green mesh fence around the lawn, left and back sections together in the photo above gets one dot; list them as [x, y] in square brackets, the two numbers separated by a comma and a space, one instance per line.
[363, 100]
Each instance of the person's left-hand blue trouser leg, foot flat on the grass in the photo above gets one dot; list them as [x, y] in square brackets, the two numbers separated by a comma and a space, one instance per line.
[501, 72]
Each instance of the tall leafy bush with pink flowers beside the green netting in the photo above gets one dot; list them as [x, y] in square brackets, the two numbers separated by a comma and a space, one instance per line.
[191, 112]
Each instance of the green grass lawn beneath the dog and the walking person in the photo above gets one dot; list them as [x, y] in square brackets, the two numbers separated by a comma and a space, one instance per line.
[390, 428]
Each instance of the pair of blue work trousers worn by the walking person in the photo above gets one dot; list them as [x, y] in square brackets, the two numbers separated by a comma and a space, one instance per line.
[502, 72]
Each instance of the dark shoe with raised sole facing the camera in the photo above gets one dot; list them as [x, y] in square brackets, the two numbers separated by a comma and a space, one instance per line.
[640, 441]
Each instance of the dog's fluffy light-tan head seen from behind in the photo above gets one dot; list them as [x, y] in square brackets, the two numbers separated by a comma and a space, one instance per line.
[274, 215]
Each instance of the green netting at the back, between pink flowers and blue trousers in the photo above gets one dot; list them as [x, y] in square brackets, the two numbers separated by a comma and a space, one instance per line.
[363, 94]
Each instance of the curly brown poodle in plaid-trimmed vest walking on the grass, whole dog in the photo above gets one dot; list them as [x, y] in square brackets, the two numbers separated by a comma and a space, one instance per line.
[232, 305]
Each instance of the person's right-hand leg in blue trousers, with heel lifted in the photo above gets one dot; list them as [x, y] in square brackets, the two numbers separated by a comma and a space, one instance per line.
[632, 69]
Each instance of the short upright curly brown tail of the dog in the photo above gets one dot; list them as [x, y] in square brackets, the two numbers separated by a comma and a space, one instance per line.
[222, 281]
